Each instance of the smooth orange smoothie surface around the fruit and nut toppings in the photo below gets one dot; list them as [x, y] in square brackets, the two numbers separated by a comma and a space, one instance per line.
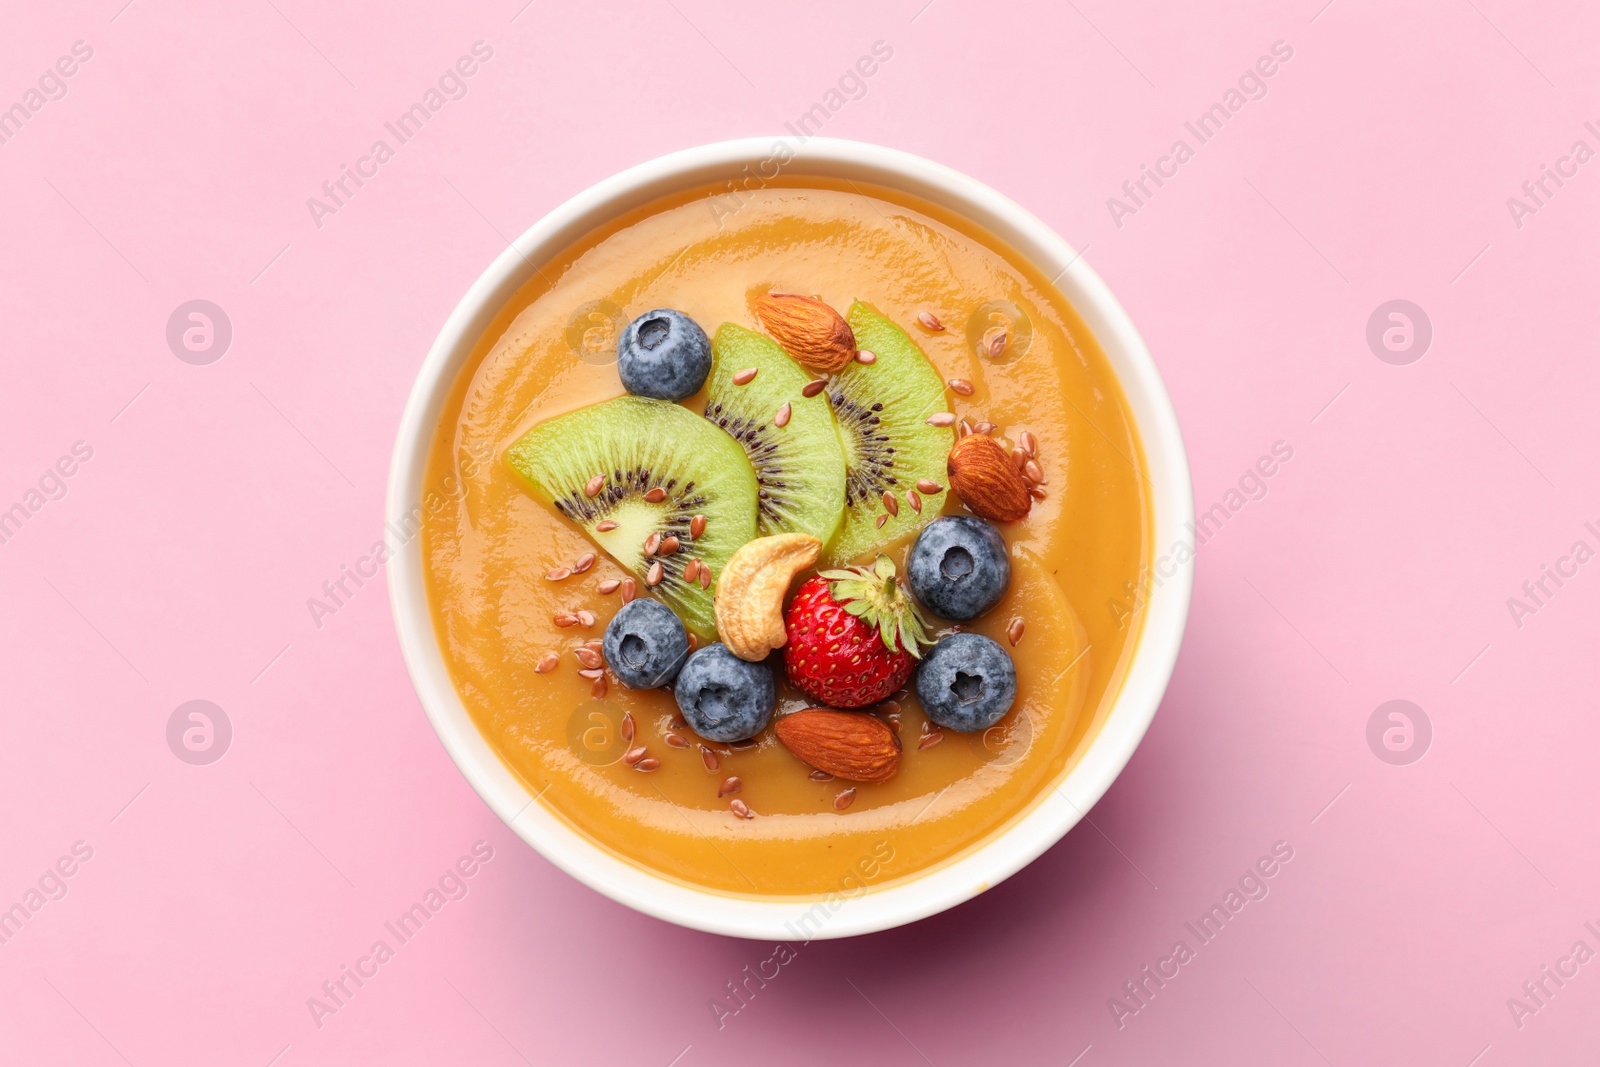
[1074, 559]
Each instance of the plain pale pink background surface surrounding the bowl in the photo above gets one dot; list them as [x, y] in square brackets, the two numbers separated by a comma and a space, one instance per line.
[1378, 567]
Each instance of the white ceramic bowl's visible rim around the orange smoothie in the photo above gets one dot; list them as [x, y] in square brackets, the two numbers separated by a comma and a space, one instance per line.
[862, 911]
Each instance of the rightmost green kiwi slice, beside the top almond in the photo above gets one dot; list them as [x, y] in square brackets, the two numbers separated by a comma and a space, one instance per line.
[882, 412]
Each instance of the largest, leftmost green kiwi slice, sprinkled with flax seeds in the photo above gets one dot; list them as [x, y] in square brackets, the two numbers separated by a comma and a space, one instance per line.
[634, 447]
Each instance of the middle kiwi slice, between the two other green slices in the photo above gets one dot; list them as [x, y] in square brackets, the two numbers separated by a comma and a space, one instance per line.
[801, 466]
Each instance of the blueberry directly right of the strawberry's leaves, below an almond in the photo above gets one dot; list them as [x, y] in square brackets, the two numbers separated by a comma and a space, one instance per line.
[959, 567]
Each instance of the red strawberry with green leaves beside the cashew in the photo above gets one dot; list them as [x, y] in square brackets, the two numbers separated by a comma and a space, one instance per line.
[854, 636]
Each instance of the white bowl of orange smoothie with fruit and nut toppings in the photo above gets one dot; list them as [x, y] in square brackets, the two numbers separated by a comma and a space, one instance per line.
[780, 527]
